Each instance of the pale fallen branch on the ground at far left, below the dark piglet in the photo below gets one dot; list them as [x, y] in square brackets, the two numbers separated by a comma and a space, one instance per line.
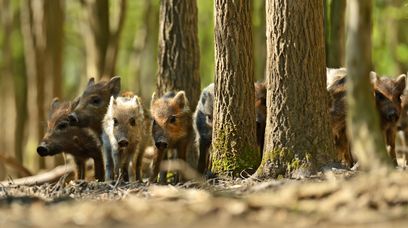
[47, 177]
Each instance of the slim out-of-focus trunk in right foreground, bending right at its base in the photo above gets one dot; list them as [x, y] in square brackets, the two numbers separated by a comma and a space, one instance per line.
[367, 142]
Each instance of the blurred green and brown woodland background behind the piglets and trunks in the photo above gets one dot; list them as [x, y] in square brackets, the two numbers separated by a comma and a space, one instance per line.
[49, 48]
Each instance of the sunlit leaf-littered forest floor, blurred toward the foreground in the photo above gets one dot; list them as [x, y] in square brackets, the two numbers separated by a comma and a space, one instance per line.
[338, 198]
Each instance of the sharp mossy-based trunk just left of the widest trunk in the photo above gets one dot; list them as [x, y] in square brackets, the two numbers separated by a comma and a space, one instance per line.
[234, 146]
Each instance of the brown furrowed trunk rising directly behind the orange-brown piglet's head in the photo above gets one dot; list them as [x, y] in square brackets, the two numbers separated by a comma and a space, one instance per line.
[179, 54]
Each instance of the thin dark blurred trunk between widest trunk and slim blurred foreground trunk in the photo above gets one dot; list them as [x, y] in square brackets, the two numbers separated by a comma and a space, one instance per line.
[337, 42]
